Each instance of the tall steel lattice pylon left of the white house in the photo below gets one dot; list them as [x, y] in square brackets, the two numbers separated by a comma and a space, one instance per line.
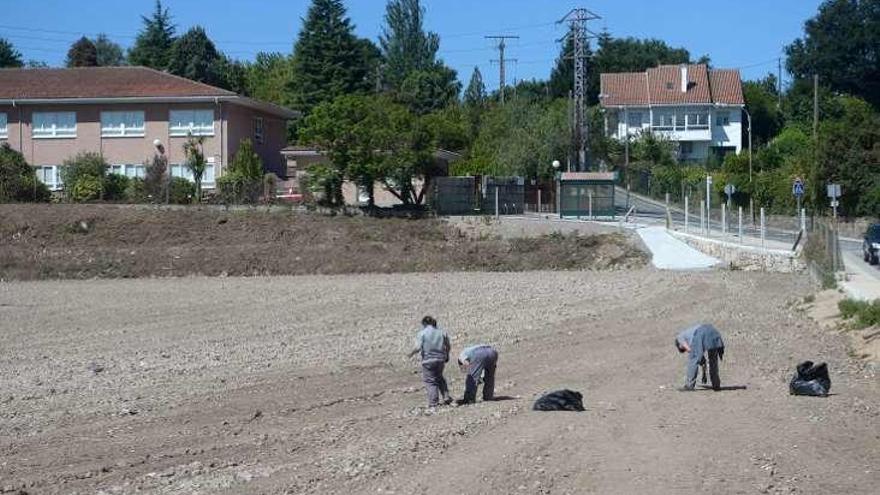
[577, 21]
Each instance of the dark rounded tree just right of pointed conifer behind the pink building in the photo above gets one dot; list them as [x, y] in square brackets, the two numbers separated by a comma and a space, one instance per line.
[195, 57]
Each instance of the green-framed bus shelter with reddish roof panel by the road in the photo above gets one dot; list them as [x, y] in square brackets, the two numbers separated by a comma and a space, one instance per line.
[586, 194]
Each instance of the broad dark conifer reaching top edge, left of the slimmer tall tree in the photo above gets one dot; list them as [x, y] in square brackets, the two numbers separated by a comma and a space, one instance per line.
[328, 59]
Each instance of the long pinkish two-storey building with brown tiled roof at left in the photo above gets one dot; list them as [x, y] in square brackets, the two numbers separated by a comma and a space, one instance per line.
[127, 114]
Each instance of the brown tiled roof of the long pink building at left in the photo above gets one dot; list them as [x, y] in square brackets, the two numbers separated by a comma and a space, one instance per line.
[99, 82]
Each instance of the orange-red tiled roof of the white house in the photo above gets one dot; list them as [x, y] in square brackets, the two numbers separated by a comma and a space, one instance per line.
[662, 86]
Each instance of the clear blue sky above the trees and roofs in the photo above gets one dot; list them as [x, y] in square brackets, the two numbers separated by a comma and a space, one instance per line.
[746, 34]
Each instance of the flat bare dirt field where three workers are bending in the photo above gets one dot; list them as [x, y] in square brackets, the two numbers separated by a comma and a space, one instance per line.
[299, 385]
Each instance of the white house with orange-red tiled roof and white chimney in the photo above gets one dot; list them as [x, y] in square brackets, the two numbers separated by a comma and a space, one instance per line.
[698, 108]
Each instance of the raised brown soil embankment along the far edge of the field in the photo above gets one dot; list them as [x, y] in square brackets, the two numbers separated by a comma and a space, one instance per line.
[109, 241]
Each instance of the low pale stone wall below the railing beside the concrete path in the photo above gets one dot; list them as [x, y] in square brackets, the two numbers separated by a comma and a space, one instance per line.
[746, 258]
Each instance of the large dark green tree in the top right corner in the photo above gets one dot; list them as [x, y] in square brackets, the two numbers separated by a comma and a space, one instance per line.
[841, 44]
